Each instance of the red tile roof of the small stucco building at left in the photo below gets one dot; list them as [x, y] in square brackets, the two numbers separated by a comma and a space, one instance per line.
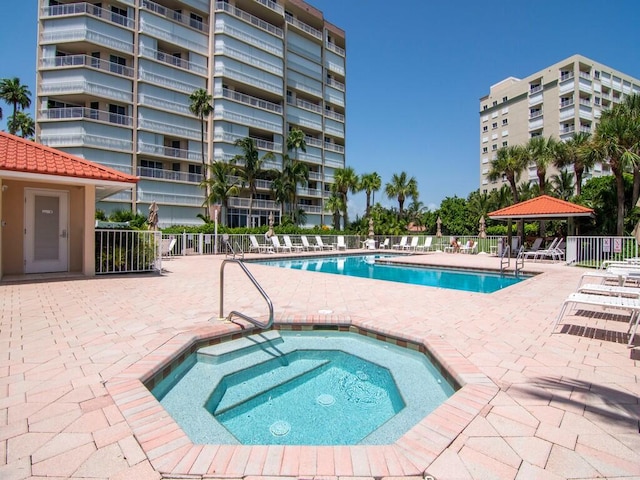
[20, 155]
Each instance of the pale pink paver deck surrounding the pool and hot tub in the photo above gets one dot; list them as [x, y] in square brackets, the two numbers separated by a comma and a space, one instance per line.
[563, 406]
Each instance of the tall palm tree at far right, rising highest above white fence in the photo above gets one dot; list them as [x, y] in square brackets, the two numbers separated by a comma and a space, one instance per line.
[616, 141]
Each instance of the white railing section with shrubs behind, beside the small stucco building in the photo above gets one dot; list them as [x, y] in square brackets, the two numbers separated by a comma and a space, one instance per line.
[126, 251]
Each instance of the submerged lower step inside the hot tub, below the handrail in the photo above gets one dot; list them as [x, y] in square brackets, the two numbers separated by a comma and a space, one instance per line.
[241, 388]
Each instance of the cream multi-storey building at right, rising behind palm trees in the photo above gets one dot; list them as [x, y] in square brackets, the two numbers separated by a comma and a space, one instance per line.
[557, 101]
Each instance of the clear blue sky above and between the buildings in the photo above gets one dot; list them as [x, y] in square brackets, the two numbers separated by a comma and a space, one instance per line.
[416, 70]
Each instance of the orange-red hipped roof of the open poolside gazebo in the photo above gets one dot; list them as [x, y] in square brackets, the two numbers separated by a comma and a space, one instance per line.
[541, 207]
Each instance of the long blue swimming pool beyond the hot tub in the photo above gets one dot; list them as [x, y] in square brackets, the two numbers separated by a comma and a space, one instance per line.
[374, 267]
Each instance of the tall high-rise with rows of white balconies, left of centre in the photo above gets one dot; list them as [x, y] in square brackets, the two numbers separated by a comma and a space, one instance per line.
[114, 80]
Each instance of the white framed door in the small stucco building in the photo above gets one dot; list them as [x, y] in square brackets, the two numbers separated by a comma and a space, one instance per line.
[46, 243]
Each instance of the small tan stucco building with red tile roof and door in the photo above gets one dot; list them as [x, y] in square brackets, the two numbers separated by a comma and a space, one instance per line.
[47, 208]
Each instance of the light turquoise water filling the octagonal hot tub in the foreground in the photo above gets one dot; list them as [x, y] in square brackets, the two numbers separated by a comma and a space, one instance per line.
[302, 388]
